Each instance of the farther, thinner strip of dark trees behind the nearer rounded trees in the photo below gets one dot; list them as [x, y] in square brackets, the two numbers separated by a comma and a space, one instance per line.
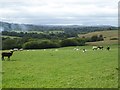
[40, 35]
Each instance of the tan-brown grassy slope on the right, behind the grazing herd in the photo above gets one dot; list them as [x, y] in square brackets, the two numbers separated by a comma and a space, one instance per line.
[107, 34]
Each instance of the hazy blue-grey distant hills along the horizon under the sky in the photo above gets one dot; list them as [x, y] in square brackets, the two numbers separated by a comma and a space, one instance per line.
[4, 26]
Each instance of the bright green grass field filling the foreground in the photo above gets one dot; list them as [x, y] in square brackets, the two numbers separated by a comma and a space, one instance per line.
[62, 68]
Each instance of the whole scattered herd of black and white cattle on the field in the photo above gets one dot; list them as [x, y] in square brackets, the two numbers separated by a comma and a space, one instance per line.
[10, 53]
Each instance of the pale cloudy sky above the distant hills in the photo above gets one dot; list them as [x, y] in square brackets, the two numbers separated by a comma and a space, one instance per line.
[77, 12]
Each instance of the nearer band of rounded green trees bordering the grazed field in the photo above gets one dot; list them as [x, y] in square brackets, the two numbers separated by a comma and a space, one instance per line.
[33, 43]
